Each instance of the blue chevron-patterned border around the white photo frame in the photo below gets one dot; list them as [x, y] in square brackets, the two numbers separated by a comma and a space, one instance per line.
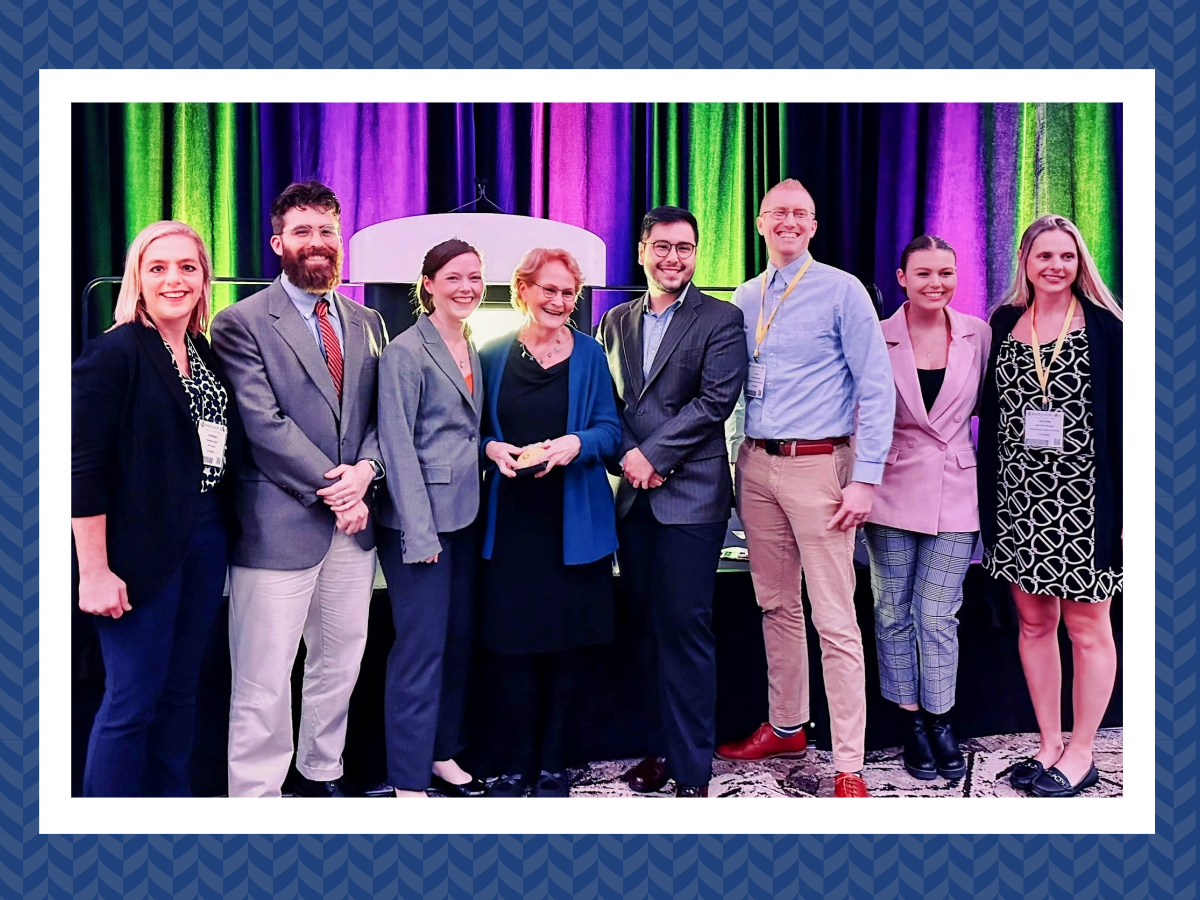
[515, 34]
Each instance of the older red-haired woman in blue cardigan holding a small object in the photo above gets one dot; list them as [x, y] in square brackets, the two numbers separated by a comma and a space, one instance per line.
[549, 427]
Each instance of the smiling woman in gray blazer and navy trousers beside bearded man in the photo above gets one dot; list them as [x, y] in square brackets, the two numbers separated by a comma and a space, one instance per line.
[431, 393]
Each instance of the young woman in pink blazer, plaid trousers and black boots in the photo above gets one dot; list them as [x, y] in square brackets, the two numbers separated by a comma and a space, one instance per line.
[926, 519]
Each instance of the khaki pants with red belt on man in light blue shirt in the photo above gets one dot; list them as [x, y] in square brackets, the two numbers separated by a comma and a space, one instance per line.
[784, 503]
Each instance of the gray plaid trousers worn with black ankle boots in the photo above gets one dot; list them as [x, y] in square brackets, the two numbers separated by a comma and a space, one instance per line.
[917, 580]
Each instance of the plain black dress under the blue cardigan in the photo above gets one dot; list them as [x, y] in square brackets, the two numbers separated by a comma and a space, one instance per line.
[532, 603]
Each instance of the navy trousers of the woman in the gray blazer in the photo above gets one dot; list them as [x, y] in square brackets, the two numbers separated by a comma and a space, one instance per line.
[428, 668]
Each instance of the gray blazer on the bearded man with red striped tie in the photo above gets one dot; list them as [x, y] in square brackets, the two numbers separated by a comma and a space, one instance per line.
[296, 429]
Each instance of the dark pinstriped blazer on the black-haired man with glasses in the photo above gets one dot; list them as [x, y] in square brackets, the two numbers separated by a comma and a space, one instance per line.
[676, 416]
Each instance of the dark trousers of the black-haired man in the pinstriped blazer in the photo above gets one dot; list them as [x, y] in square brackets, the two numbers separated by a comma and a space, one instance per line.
[671, 572]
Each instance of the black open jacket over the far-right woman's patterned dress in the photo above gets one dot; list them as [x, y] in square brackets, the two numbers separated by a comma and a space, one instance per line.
[1106, 351]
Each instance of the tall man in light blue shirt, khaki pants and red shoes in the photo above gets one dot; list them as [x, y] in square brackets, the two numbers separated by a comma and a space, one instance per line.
[819, 377]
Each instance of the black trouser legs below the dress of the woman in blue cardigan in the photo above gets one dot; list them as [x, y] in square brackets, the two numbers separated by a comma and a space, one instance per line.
[533, 701]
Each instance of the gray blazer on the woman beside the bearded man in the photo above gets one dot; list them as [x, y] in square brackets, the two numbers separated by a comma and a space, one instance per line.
[429, 435]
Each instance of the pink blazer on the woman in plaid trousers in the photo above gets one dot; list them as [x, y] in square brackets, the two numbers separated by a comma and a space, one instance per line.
[929, 482]
